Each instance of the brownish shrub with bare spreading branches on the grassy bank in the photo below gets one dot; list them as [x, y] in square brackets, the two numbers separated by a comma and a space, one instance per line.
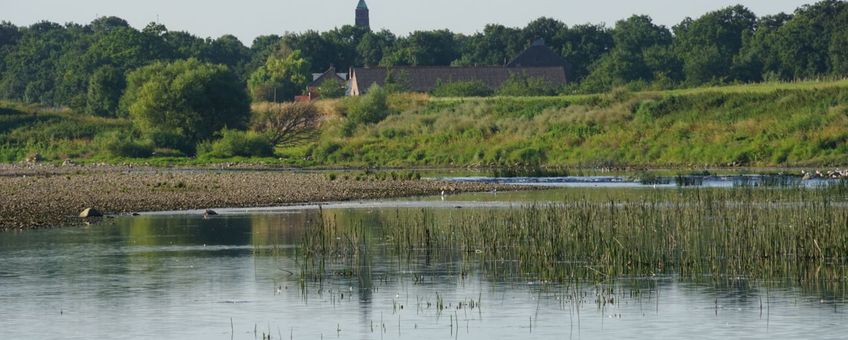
[286, 124]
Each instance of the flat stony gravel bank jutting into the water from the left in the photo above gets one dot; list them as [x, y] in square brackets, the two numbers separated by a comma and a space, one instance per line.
[46, 196]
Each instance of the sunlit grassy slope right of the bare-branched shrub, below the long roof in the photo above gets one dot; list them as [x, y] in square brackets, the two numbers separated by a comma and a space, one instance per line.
[754, 125]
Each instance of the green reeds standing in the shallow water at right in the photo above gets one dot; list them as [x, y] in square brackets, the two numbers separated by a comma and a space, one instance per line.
[795, 235]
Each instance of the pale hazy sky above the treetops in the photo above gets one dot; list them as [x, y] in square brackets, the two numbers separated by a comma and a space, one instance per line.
[247, 19]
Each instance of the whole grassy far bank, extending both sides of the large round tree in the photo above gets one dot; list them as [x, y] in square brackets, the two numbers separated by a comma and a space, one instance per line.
[759, 125]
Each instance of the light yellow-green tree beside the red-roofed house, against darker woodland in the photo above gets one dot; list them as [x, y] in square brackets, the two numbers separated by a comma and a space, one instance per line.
[280, 79]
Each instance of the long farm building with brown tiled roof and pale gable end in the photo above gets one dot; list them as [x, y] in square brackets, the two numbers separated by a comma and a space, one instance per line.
[538, 61]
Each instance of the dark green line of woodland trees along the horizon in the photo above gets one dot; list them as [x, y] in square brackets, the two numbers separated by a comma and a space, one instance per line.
[88, 67]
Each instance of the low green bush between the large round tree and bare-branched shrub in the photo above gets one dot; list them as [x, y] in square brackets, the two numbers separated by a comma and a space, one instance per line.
[235, 143]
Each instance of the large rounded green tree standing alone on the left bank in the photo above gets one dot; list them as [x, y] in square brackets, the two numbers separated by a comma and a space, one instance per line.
[187, 98]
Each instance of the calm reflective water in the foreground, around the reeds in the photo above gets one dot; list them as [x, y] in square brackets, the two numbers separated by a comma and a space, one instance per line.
[237, 276]
